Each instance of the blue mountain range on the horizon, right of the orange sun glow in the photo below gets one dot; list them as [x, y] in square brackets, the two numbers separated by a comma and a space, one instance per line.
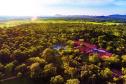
[111, 18]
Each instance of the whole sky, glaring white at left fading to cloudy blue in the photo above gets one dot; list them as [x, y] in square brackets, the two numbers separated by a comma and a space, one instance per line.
[61, 7]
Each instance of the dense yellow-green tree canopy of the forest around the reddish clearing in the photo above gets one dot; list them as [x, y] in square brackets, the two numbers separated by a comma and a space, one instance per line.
[47, 52]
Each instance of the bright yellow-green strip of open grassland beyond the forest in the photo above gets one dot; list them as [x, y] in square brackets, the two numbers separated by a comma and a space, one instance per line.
[19, 22]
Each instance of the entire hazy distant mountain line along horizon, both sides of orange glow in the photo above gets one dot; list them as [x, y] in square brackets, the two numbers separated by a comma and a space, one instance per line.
[111, 18]
